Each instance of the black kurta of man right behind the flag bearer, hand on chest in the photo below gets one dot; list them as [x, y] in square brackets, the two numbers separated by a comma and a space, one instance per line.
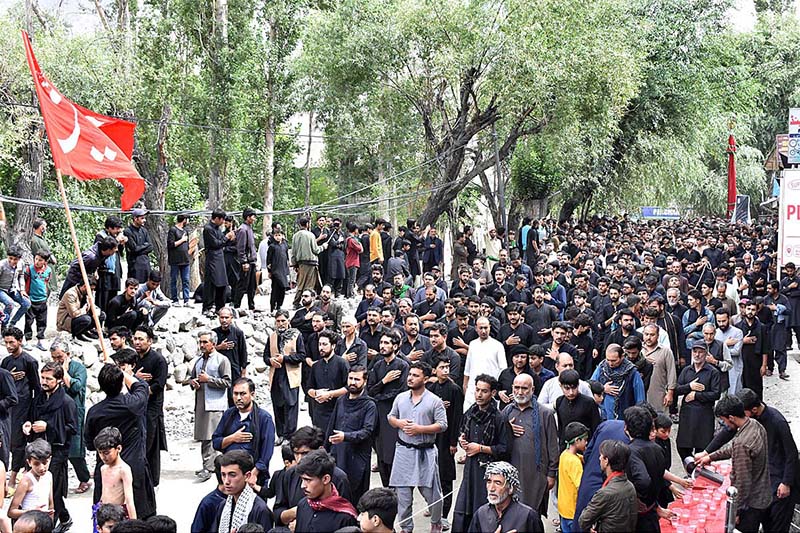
[154, 363]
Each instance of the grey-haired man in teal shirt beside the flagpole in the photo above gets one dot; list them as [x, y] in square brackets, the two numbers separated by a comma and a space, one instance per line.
[75, 386]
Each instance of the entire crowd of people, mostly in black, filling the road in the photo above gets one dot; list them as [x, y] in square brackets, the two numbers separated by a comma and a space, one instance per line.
[553, 364]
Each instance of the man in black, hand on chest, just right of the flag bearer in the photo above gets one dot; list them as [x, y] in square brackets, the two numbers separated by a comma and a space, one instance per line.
[152, 368]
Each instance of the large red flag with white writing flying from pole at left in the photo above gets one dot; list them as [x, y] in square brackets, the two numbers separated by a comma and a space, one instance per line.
[84, 144]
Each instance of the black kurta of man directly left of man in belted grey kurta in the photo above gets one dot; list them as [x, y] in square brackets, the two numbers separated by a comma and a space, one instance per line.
[384, 396]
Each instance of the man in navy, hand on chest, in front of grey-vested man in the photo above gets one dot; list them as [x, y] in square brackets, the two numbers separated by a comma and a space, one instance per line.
[247, 427]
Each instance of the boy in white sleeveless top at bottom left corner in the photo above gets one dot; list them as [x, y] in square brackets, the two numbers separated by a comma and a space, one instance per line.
[35, 490]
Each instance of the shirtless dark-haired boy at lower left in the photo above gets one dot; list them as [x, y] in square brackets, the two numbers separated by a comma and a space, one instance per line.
[115, 473]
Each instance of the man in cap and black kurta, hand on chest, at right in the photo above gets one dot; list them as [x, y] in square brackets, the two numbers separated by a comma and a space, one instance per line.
[699, 384]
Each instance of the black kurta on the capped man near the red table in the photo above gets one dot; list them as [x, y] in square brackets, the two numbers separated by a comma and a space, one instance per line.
[696, 428]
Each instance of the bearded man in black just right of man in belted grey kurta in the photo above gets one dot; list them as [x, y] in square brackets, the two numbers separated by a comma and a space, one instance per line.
[483, 436]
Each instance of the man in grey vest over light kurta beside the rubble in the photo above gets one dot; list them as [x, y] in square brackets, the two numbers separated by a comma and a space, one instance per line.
[210, 378]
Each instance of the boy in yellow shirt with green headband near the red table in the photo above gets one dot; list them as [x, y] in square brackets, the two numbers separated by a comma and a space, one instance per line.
[570, 470]
